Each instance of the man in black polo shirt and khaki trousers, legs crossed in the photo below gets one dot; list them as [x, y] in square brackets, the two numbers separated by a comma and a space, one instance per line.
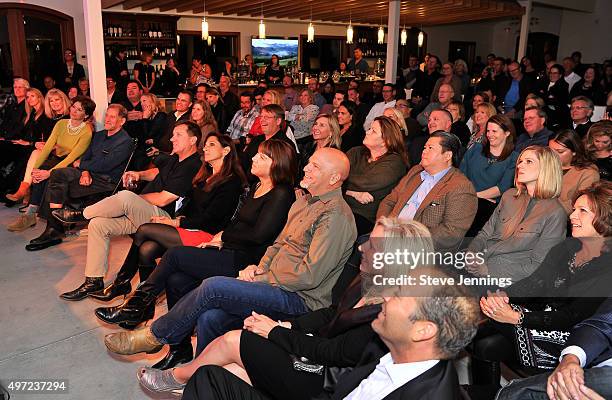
[124, 212]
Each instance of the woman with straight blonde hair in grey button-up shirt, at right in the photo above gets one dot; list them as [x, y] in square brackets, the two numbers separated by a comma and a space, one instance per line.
[528, 221]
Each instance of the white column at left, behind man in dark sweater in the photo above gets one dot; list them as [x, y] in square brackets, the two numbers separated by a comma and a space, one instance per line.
[96, 65]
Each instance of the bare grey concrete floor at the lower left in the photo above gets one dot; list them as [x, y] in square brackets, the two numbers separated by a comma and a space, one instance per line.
[44, 337]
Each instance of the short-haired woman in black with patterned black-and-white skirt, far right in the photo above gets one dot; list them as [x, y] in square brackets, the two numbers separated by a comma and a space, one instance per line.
[568, 287]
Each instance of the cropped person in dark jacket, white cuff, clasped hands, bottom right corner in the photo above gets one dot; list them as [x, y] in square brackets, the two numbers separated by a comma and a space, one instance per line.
[585, 370]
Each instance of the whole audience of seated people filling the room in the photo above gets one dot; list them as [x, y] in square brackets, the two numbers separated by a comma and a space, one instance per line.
[255, 214]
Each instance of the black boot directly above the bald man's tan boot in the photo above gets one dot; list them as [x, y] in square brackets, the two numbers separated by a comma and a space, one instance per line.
[136, 309]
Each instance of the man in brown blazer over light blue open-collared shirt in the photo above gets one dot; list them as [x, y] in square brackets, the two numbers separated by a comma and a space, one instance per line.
[435, 193]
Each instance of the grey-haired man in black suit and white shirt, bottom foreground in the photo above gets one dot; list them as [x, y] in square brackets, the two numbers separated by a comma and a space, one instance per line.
[412, 362]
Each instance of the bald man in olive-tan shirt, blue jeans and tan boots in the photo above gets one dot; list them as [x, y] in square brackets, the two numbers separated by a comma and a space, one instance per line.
[295, 275]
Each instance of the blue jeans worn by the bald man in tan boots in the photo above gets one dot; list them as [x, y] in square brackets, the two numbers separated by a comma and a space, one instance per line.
[221, 304]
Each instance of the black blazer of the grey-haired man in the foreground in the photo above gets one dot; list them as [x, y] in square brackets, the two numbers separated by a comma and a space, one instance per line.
[438, 383]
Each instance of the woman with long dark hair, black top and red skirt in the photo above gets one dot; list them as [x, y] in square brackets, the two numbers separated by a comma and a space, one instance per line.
[217, 188]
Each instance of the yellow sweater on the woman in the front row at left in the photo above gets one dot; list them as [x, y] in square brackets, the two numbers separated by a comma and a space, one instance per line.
[69, 145]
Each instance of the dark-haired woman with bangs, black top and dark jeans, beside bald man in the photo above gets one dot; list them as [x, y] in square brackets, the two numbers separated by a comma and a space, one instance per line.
[243, 242]
